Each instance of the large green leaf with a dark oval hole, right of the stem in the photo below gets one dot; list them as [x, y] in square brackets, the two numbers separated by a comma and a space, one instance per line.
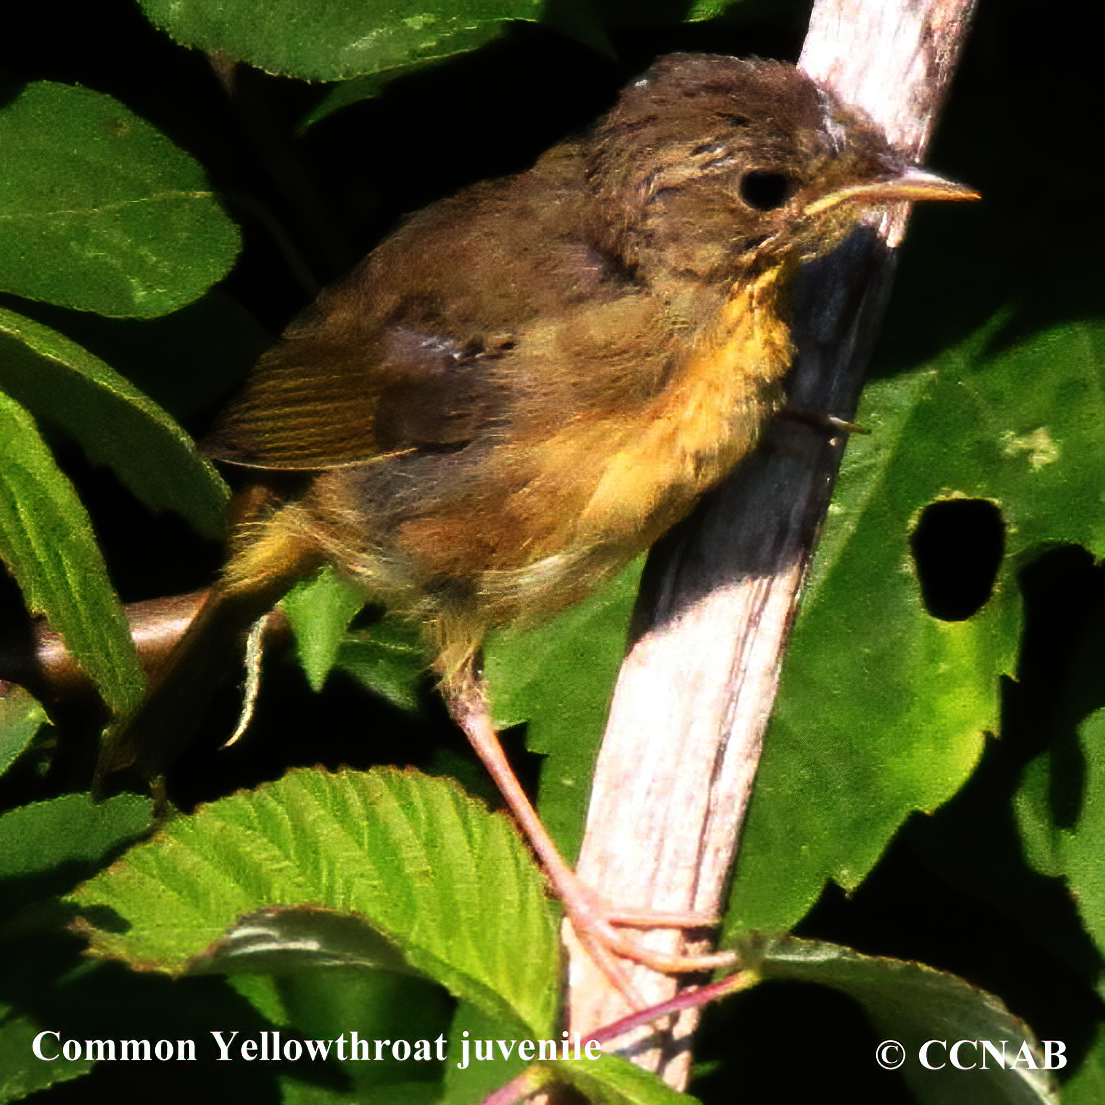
[893, 723]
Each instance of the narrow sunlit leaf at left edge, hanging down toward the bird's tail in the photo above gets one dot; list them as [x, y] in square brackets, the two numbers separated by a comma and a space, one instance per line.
[47, 542]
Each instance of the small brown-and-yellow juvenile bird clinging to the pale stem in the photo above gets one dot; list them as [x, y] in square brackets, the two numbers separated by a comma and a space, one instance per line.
[532, 381]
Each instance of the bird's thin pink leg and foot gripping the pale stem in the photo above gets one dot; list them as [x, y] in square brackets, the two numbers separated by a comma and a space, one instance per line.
[591, 919]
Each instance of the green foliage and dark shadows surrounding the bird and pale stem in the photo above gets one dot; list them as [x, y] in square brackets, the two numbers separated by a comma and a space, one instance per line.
[152, 236]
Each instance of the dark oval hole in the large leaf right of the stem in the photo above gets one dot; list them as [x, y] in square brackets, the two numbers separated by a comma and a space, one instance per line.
[957, 549]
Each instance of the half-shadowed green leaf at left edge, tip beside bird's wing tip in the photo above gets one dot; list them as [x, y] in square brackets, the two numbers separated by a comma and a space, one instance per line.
[114, 423]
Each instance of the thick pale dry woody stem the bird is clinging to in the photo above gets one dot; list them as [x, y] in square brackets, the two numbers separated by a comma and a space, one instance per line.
[697, 690]
